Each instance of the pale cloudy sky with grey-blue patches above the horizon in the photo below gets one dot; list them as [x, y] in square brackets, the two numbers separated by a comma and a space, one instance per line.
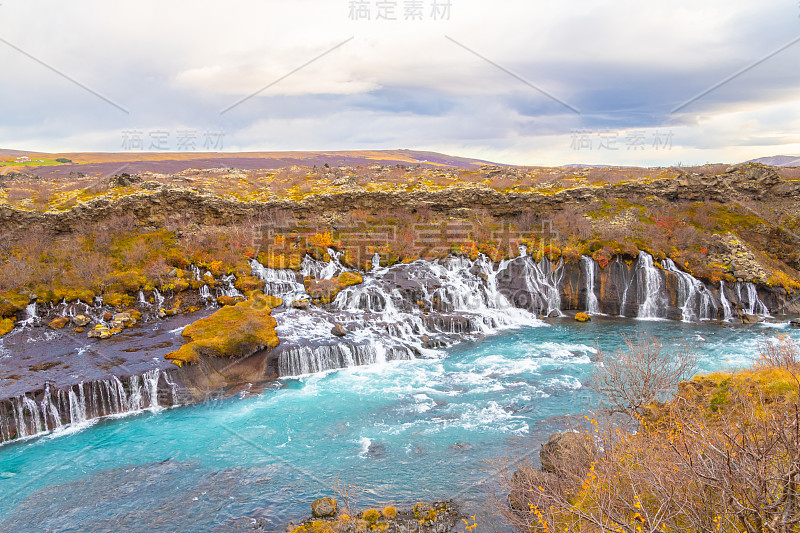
[524, 82]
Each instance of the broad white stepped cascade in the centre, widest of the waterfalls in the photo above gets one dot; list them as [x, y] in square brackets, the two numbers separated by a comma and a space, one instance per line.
[400, 312]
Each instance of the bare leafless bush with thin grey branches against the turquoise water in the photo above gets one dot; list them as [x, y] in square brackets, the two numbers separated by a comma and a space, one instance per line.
[640, 374]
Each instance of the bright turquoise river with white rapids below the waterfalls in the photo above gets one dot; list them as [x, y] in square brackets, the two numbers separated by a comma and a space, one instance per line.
[401, 431]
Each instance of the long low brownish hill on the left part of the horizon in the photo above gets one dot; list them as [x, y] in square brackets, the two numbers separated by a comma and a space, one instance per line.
[110, 163]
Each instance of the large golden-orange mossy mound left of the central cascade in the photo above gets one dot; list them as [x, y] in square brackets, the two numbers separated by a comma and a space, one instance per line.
[234, 331]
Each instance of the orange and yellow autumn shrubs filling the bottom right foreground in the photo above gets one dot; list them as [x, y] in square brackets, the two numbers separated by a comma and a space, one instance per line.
[722, 456]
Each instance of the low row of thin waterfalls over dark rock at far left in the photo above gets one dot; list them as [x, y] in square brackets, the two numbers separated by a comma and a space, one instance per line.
[25, 416]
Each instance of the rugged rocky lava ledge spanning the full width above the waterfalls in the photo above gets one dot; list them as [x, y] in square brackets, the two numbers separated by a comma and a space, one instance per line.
[158, 206]
